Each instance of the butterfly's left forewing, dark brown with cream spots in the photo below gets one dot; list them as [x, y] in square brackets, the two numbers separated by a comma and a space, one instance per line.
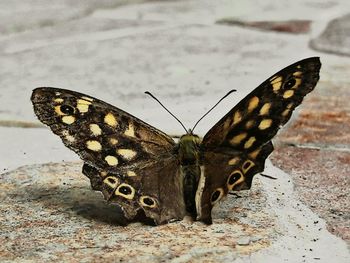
[103, 135]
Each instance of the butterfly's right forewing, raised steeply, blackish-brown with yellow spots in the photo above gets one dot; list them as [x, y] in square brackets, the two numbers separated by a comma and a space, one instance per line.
[257, 118]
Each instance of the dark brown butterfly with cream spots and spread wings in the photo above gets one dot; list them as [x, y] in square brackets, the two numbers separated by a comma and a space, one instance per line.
[142, 169]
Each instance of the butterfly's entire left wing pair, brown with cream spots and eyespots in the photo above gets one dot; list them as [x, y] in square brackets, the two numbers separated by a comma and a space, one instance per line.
[131, 162]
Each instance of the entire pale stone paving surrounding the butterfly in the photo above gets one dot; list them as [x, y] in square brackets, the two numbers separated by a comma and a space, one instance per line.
[115, 50]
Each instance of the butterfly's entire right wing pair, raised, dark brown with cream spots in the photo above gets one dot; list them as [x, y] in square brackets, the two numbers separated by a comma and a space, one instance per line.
[240, 142]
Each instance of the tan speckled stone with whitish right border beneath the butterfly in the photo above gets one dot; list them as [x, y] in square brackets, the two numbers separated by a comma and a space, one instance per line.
[55, 216]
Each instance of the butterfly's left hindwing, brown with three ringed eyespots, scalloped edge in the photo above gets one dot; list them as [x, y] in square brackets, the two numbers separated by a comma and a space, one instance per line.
[155, 188]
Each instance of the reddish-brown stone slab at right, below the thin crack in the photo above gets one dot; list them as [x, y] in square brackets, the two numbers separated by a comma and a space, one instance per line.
[322, 182]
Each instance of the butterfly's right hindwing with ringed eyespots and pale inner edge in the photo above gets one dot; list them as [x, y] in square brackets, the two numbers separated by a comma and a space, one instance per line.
[225, 171]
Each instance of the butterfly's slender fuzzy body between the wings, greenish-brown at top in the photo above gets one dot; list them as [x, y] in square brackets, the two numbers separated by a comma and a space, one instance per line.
[188, 152]
